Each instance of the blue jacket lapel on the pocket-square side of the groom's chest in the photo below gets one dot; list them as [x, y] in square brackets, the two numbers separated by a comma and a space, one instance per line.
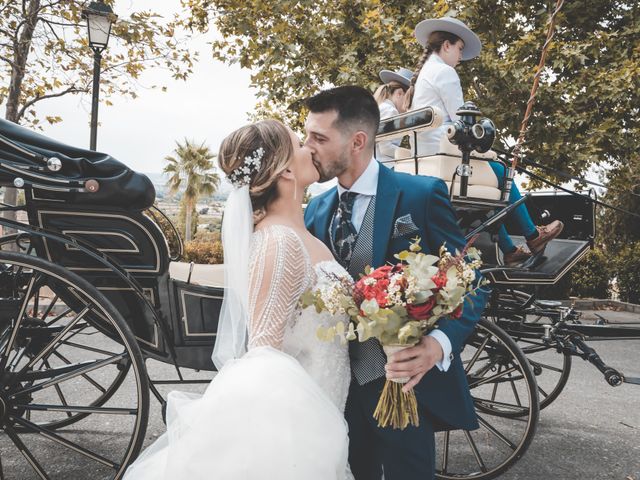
[387, 198]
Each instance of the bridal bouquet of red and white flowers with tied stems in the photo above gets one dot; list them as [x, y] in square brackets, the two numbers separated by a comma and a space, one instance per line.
[398, 304]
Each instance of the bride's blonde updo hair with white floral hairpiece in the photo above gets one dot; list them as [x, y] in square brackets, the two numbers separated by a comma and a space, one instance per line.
[273, 137]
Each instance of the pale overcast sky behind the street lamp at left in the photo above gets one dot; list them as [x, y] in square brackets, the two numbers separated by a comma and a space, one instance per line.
[214, 100]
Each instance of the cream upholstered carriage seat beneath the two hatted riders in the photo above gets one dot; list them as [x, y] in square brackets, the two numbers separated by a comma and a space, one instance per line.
[483, 182]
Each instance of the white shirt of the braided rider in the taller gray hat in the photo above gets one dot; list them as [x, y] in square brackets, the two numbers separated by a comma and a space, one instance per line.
[437, 85]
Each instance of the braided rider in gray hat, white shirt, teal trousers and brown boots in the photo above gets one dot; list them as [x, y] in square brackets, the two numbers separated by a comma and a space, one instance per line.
[447, 42]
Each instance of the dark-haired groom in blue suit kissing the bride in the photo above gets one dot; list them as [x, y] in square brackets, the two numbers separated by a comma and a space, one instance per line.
[372, 214]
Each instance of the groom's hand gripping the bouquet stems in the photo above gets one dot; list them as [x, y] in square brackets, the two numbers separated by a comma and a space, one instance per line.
[414, 362]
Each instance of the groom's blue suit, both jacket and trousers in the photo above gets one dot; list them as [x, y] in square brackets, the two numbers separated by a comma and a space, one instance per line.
[444, 396]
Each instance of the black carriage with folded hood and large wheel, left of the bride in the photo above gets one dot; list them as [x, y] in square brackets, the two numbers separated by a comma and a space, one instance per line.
[87, 296]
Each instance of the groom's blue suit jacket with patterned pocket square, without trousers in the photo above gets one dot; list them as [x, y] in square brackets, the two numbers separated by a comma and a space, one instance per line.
[445, 394]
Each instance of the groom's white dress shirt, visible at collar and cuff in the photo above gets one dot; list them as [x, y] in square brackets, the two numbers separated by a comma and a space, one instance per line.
[366, 187]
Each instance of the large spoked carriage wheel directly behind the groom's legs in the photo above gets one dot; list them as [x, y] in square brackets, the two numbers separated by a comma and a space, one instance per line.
[505, 395]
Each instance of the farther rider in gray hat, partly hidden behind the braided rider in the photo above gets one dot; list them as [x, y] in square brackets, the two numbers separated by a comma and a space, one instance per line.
[390, 99]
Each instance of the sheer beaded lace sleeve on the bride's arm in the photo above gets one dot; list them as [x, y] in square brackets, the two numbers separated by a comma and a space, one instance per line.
[278, 275]
